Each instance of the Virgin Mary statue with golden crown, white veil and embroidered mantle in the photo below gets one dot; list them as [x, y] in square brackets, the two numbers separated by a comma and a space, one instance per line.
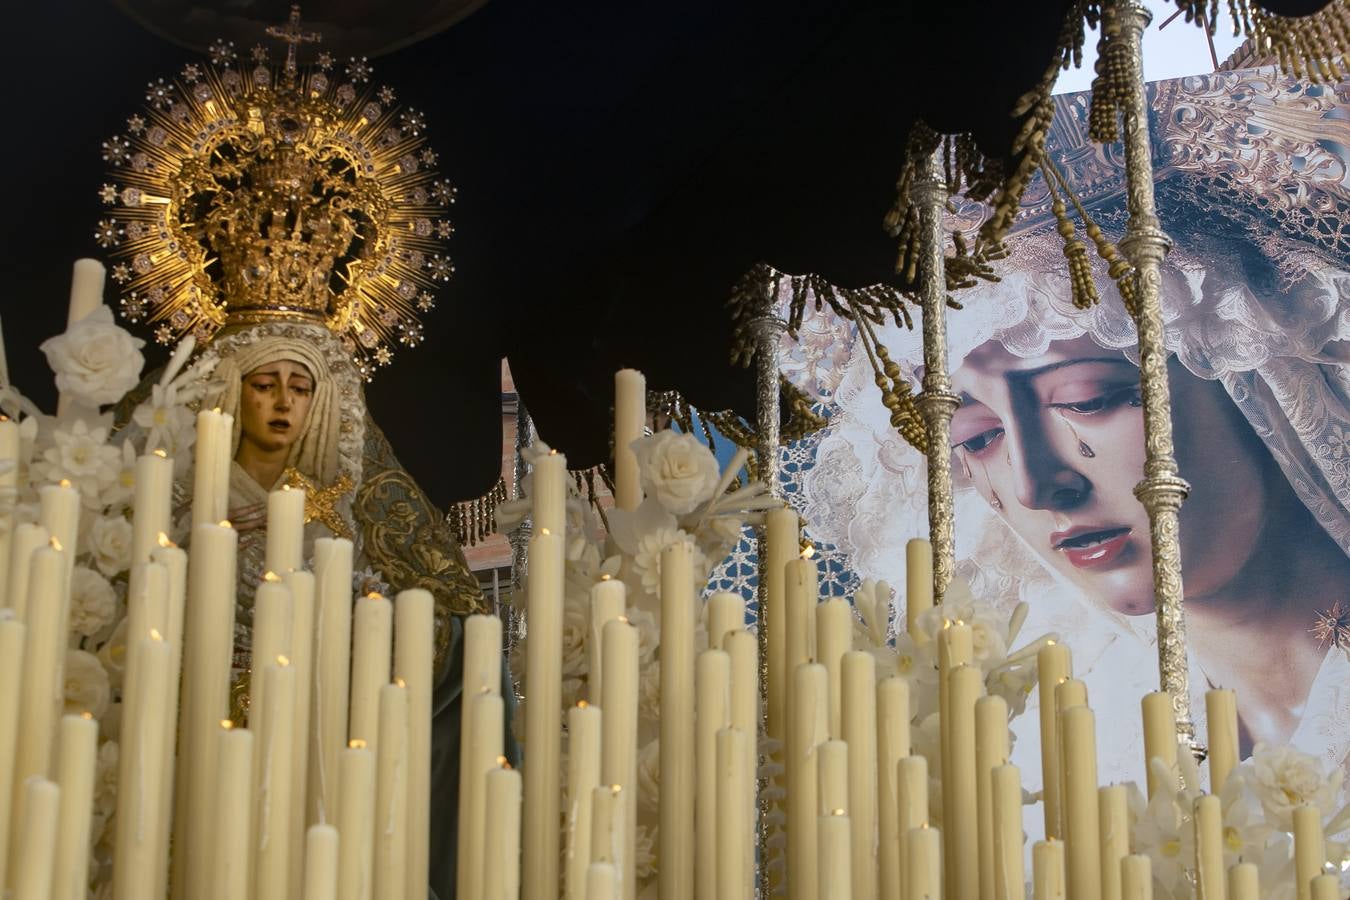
[291, 221]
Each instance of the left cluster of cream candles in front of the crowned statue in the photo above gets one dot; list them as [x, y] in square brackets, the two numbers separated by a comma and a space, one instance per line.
[338, 747]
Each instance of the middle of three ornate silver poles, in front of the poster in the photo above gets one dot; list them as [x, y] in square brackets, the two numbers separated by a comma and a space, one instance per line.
[936, 403]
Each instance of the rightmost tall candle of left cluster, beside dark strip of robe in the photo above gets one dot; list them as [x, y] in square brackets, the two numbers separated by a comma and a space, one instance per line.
[415, 652]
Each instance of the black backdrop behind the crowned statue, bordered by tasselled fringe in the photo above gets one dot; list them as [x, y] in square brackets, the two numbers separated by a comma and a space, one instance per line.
[619, 167]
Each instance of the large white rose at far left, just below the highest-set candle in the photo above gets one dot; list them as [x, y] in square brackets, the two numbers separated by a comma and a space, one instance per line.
[95, 361]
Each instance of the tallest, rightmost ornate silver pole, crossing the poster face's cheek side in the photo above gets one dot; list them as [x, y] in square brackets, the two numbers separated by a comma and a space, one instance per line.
[1163, 489]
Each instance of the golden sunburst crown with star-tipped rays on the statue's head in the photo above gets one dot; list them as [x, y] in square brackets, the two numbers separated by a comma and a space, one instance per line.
[259, 192]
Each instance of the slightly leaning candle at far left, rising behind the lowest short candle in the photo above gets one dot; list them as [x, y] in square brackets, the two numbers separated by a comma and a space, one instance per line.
[44, 679]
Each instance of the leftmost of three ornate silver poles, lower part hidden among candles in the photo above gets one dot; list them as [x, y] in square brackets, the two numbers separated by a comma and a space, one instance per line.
[769, 333]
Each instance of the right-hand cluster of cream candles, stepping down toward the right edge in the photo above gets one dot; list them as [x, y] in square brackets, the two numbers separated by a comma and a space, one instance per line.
[858, 798]
